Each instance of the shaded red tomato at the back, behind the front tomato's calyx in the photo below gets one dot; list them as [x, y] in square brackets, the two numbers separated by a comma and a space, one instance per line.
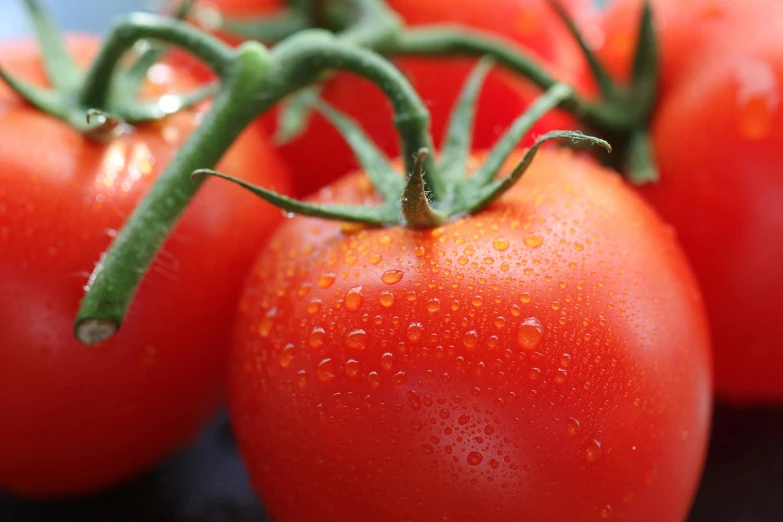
[320, 155]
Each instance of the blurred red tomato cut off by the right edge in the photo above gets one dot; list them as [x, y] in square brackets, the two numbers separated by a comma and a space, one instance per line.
[720, 183]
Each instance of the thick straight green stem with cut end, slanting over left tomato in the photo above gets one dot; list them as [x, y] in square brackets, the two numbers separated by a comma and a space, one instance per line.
[115, 280]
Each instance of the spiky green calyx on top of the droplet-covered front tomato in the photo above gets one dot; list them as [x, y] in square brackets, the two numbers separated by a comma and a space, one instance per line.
[438, 191]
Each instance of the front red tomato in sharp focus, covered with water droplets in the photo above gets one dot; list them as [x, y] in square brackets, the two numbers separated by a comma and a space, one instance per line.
[547, 356]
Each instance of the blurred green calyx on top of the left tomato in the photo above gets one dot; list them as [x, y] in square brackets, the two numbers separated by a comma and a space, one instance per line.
[120, 104]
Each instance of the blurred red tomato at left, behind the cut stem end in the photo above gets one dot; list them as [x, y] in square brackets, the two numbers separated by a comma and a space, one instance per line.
[74, 418]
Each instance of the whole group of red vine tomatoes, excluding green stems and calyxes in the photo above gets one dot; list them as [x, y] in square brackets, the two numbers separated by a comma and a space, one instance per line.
[550, 356]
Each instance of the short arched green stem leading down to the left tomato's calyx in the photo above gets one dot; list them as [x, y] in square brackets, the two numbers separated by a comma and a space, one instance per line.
[141, 26]
